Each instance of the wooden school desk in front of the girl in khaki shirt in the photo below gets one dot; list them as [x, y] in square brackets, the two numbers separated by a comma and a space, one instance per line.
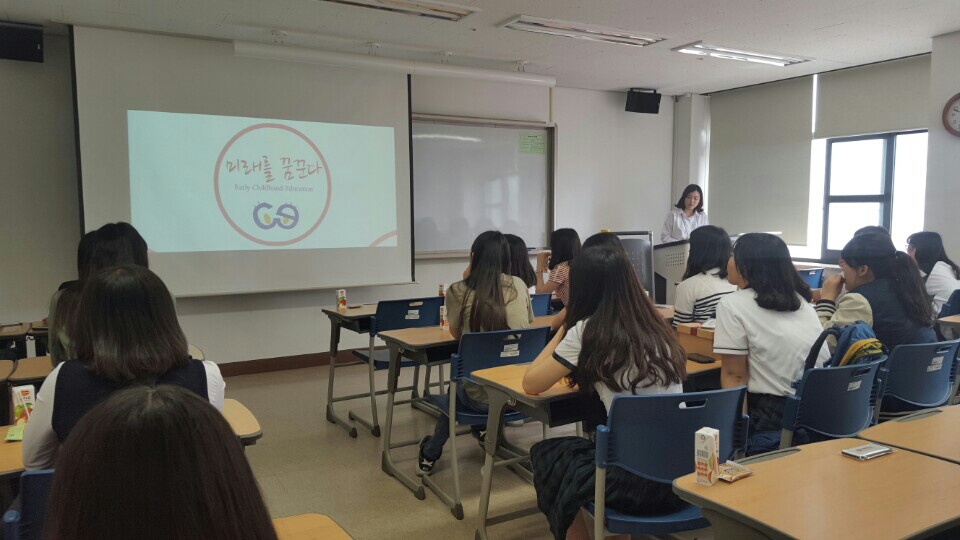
[426, 346]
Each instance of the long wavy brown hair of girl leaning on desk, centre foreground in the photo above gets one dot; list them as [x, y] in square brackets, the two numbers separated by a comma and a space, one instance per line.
[625, 340]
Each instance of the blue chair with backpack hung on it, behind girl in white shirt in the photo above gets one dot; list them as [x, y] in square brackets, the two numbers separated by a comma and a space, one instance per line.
[834, 402]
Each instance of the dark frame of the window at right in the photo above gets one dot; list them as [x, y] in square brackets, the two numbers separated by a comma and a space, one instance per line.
[885, 198]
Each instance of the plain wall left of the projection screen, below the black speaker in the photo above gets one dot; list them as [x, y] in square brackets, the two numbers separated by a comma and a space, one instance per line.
[41, 223]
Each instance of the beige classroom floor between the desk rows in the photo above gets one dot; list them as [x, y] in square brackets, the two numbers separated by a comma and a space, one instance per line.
[305, 464]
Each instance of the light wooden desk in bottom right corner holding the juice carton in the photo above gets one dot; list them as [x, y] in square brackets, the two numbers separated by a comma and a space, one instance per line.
[812, 491]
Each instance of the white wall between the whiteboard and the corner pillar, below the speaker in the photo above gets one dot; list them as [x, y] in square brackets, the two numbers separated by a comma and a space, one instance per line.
[613, 166]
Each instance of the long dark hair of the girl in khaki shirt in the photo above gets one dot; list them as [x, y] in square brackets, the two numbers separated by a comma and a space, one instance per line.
[489, 260]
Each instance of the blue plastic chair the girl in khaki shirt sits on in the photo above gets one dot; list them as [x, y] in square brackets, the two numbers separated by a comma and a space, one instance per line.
[480, 350]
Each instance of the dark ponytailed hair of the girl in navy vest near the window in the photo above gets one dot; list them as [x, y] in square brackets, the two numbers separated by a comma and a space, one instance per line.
[876, 251]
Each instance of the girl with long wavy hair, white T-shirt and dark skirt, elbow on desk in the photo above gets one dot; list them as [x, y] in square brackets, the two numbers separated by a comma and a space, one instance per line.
[614, 342]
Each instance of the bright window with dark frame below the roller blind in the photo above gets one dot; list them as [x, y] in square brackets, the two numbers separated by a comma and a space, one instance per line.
[873, 180]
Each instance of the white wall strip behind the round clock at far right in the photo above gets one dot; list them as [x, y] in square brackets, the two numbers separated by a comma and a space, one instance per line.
[943, 149]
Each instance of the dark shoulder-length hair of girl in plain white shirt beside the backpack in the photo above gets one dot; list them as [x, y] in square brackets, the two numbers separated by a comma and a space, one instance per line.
[764, 262]
